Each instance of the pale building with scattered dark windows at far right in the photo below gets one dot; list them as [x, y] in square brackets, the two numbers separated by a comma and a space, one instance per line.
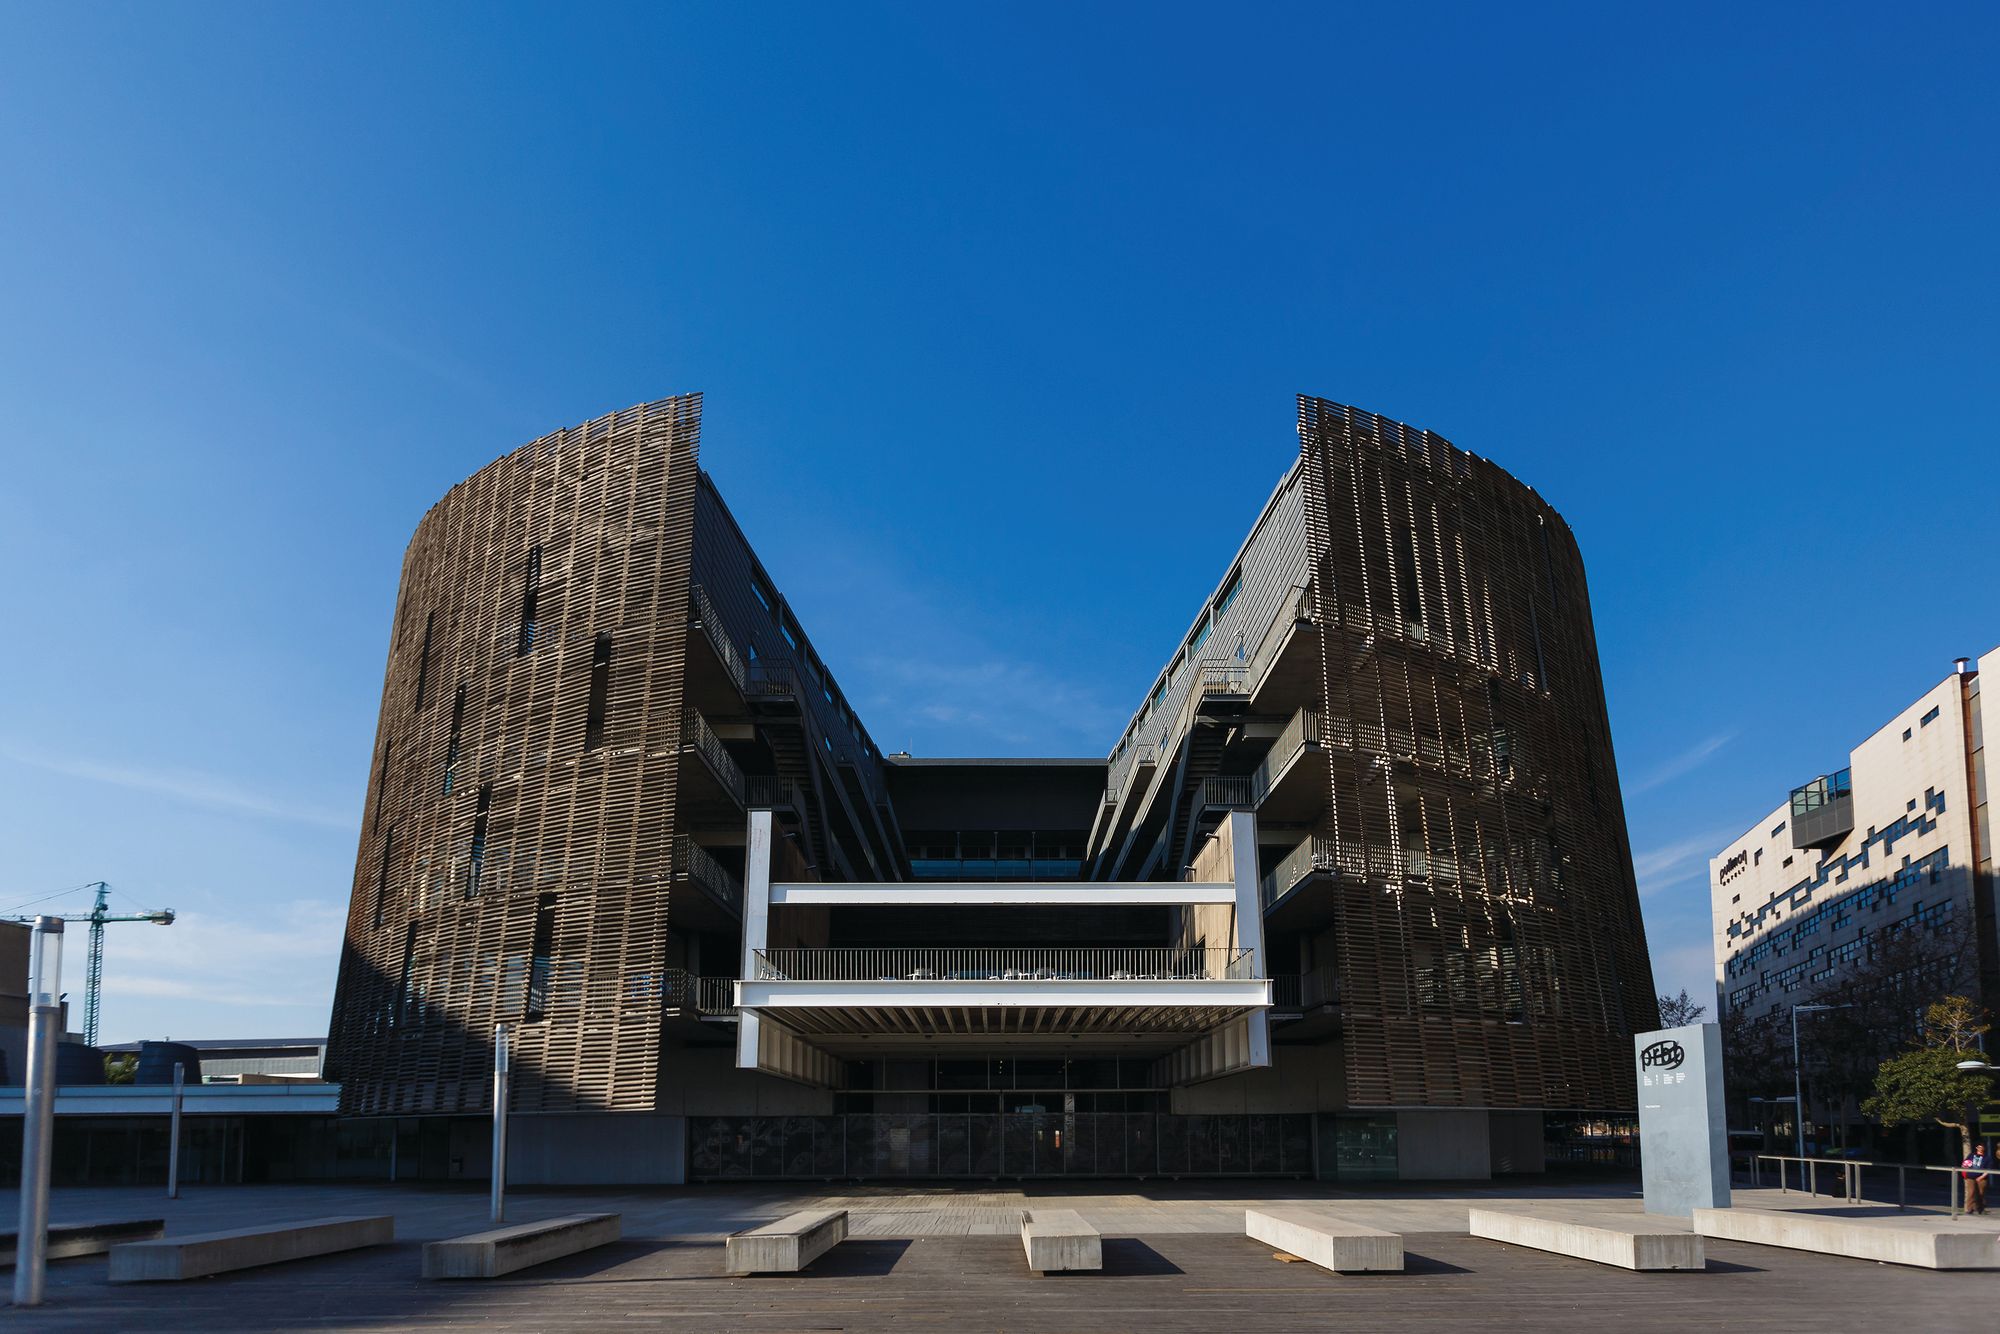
[1893, 847]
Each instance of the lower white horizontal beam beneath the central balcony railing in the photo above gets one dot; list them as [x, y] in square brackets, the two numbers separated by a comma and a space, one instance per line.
[1049, 993]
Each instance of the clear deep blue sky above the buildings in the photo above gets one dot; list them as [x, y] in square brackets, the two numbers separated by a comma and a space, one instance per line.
[999, 317]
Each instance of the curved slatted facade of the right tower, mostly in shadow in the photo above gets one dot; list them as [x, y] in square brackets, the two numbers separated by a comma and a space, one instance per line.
[1489, 939]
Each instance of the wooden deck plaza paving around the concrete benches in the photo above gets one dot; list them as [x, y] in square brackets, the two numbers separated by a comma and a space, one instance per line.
[929, 1259]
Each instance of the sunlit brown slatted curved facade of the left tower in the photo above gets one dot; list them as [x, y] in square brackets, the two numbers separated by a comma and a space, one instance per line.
[609, 511]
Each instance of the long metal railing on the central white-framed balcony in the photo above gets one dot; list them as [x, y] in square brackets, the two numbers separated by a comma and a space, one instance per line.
[1005, 965]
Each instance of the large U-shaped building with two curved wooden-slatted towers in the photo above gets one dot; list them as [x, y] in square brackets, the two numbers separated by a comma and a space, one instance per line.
[1351, 895]
